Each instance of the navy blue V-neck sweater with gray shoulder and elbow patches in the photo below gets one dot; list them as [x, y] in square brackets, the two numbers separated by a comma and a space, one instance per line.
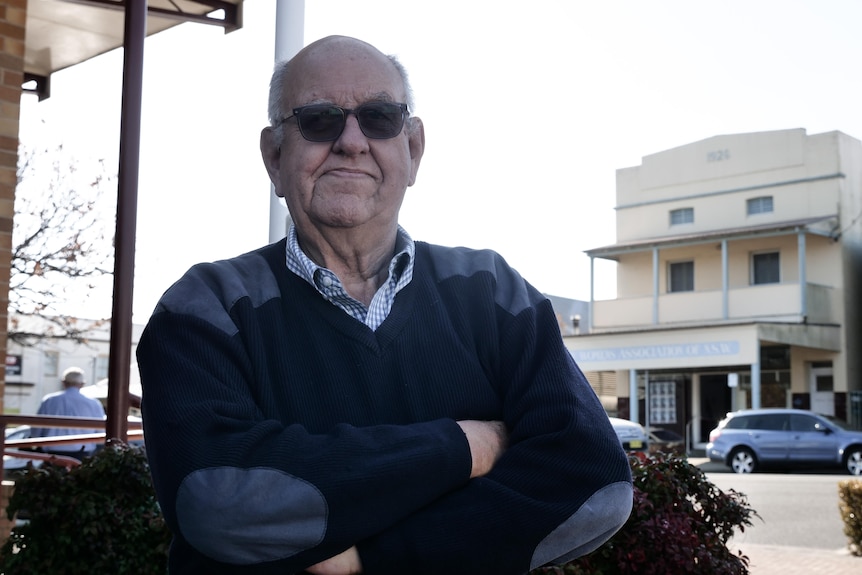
[281, 431]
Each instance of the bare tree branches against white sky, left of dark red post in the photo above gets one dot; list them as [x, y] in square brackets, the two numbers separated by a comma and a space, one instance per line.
[62, 240]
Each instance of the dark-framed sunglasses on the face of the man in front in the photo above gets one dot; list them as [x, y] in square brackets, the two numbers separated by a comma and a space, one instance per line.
[325, 122]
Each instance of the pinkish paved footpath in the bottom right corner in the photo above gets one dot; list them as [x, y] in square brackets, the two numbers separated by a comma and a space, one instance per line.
[786, 560]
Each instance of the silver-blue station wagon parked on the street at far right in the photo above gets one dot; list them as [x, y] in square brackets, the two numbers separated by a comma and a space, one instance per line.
[792, 438]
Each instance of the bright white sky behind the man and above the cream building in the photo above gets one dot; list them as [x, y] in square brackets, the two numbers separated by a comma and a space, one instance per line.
[529, 109]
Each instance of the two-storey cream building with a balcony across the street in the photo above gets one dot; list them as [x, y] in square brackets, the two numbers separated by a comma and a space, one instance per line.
[739, 268]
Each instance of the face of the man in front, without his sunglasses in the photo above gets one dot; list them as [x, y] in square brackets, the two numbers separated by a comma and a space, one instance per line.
[355, 180]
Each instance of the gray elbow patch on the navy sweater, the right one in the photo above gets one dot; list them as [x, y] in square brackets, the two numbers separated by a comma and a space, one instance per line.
[595, 522]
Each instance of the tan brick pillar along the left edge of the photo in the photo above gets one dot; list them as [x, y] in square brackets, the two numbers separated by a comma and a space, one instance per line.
[13, 21]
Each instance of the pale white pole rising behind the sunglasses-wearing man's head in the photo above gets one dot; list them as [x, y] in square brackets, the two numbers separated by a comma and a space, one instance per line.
[289, 39]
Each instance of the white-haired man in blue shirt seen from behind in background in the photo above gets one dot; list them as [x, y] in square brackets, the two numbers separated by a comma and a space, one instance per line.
[69, 402]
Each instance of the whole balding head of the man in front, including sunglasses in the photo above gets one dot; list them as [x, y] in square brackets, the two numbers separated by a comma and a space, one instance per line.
[345, 159]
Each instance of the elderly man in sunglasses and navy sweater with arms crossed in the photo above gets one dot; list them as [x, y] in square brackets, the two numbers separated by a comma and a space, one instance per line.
[348, 400]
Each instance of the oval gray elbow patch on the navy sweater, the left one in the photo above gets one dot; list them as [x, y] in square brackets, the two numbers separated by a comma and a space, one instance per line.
[246, 516]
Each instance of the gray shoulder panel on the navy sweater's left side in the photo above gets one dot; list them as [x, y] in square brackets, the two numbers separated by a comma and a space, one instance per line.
[208, 291]
